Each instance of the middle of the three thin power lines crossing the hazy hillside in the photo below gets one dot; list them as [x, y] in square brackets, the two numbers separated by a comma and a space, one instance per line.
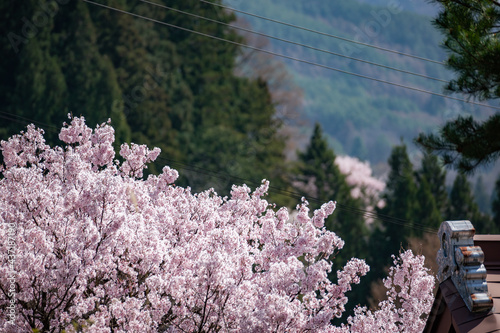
[293, 42]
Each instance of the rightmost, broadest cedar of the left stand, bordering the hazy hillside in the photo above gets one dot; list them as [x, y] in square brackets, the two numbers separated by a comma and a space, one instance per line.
[234, 131]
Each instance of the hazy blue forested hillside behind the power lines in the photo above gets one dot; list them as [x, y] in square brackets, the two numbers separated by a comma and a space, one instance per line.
[362, 117]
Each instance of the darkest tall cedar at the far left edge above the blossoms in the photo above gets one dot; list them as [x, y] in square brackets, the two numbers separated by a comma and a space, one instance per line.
[31, 81]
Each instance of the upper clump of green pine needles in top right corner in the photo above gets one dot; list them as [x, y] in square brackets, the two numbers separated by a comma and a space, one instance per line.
[470, 28]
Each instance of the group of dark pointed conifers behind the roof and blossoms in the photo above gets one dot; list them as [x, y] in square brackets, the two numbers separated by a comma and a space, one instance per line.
[415, 202]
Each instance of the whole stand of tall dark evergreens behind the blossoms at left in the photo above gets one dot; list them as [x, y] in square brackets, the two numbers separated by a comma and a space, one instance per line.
[160, 86]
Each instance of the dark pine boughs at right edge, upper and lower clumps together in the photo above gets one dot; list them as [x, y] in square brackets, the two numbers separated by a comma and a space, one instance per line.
[470, 28]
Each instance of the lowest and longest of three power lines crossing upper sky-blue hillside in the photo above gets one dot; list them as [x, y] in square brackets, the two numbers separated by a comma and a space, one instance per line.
[293, 58]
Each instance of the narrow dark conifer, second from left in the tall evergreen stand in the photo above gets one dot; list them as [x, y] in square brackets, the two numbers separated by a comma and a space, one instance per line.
[90, 76]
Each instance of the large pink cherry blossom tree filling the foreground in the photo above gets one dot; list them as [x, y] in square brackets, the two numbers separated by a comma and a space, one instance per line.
[94, 247]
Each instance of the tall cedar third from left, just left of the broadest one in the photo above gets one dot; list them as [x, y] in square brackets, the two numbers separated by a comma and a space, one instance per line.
[155, 98]
